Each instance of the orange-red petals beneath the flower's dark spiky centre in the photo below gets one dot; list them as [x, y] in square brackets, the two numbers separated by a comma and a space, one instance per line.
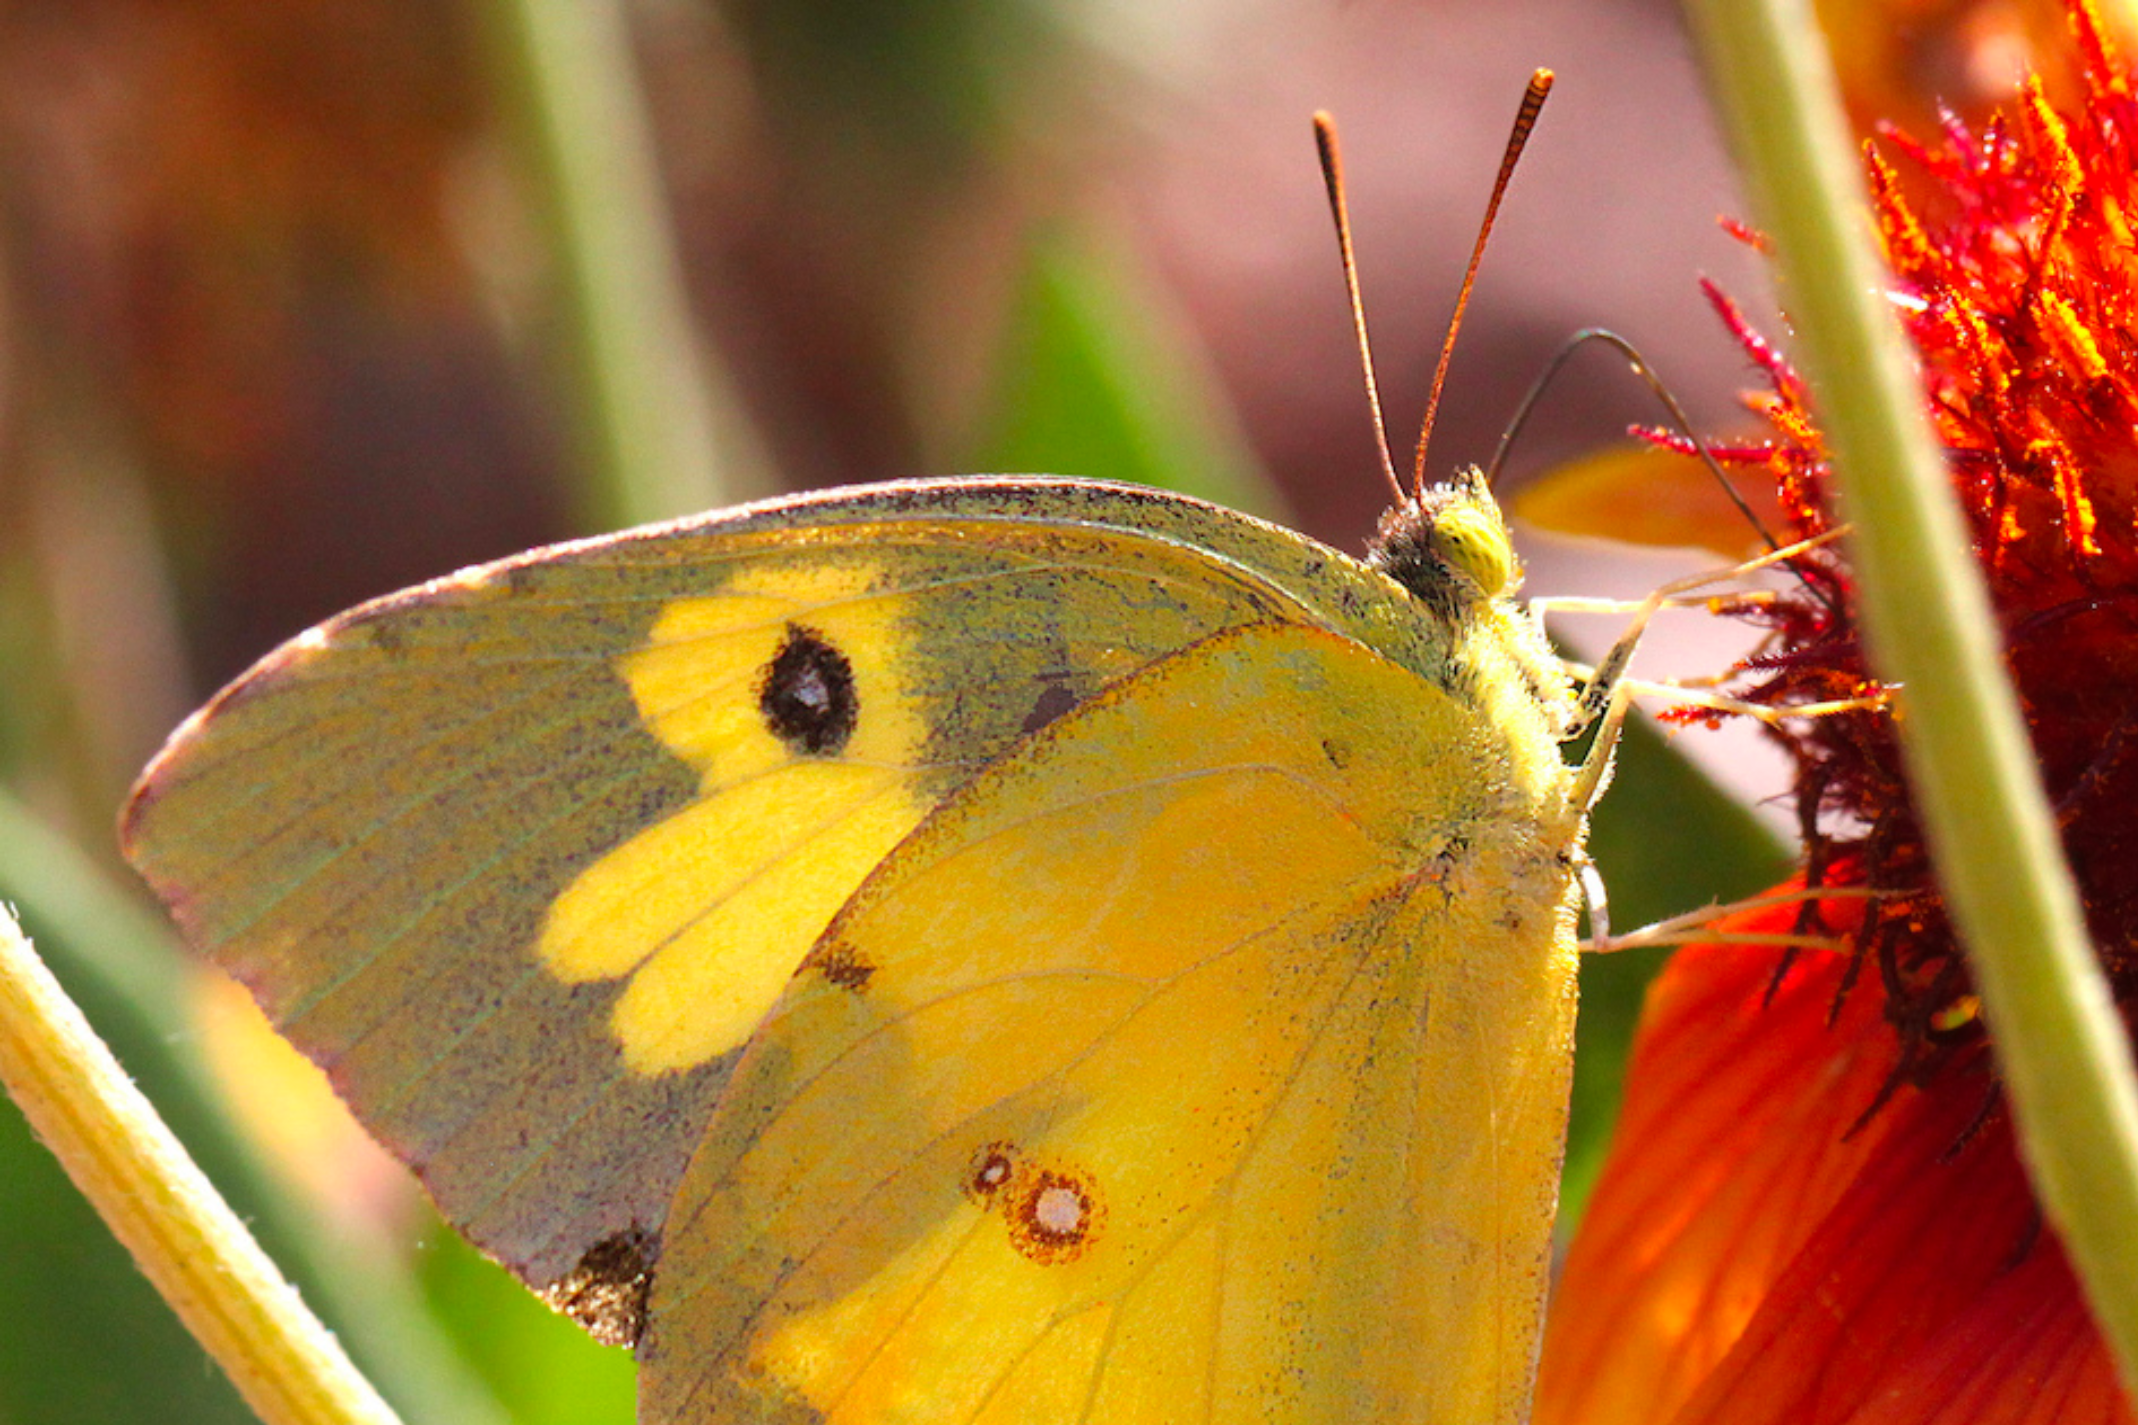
[1750, 1259]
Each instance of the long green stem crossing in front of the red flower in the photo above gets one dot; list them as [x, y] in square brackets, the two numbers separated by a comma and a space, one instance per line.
[1932, 631]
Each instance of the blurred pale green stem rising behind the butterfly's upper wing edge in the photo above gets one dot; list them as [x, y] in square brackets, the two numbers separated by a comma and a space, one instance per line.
[657, 430]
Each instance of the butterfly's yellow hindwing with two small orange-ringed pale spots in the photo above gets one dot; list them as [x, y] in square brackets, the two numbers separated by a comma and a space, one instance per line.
[1205, 1059]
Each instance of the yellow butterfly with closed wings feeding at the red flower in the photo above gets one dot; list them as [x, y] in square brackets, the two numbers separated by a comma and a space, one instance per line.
[1000, 950]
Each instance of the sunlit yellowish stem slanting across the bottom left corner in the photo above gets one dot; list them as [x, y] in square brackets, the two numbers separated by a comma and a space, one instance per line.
[164, 1208]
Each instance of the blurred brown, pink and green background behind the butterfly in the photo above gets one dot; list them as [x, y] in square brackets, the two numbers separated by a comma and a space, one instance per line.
[305, 302]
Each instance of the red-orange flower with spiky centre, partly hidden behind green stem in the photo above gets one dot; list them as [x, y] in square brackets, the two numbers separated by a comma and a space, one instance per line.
[1814, 1208]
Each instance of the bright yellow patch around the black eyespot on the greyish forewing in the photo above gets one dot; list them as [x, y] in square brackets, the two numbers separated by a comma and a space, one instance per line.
[711, 909]
